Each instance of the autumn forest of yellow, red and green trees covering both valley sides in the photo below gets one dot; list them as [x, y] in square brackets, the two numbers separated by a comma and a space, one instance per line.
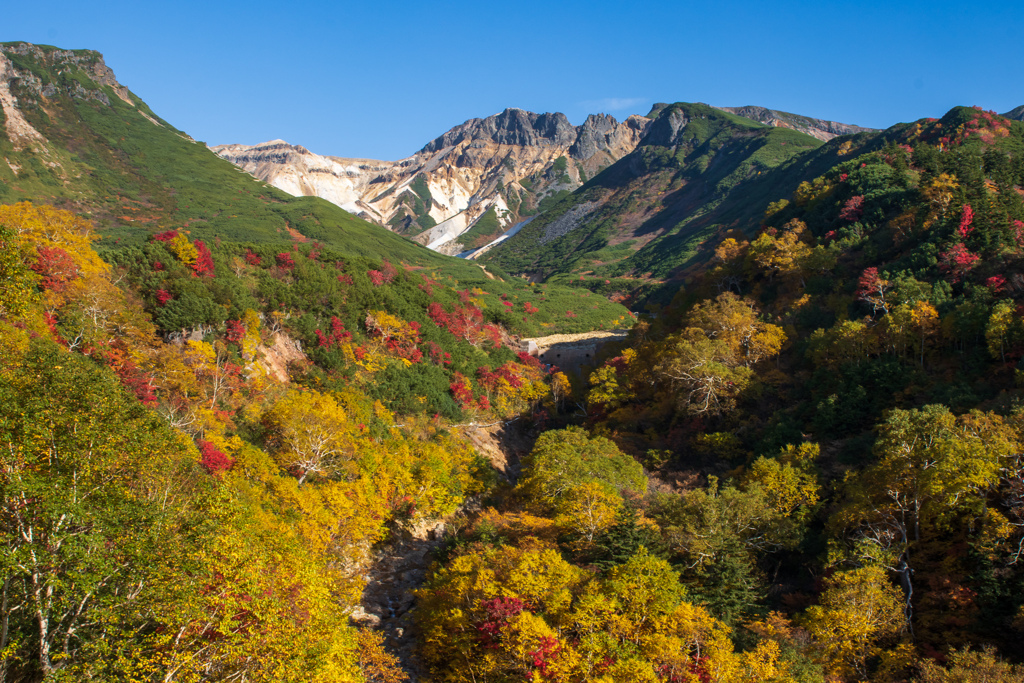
[806, 467]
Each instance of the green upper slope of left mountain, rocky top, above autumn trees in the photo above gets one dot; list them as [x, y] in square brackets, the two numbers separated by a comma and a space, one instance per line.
[75, 138]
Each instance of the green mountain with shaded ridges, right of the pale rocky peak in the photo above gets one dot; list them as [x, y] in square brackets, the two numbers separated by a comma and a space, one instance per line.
[699, 172]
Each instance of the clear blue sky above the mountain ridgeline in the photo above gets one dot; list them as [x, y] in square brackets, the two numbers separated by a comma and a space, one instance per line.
[380, 79]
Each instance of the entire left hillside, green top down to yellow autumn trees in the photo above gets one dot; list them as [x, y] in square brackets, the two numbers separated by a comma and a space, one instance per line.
[216, 399]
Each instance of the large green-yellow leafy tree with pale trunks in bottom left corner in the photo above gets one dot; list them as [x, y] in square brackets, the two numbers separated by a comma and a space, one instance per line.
[92, 488]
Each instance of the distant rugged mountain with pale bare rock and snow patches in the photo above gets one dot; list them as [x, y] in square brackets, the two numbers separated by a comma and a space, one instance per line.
[463, 189]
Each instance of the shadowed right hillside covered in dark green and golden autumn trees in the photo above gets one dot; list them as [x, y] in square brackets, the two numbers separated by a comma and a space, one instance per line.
[829, 415]
